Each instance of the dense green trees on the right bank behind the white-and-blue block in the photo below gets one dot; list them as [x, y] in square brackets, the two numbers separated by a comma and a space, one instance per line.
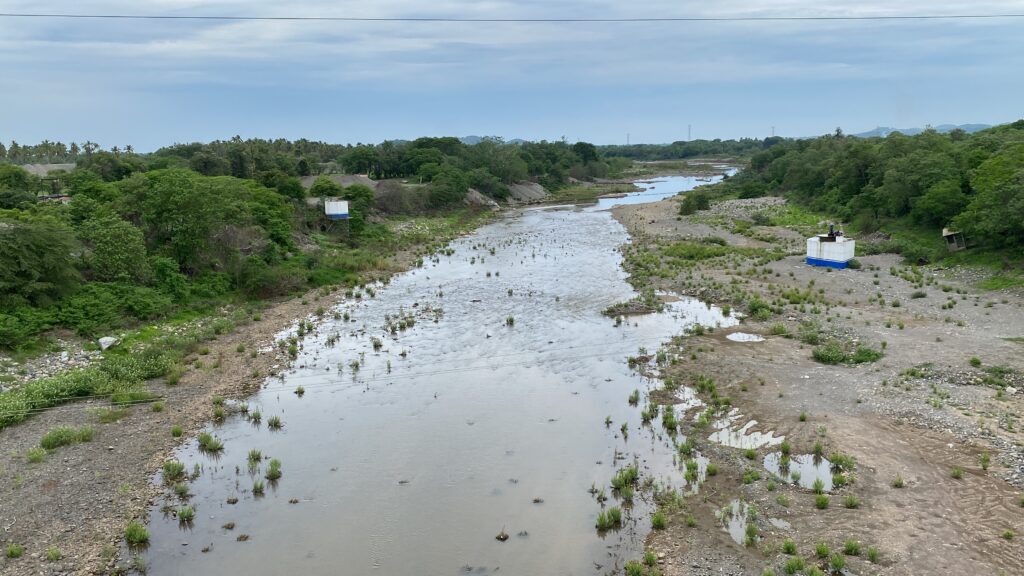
[973, 183]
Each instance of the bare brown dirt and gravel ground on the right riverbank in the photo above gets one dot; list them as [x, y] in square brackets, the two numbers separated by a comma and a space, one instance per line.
[917, 415]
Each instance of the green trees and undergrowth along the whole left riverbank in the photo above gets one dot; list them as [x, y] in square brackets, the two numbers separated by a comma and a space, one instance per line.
[180, 234]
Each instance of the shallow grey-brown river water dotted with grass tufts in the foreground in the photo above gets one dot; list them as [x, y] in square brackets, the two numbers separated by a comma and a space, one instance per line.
[484, 409]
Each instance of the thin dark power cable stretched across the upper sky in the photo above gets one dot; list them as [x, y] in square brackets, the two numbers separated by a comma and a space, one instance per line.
[429, 20]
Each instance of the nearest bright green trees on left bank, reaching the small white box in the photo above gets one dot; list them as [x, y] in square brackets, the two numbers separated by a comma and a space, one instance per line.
[153, 242]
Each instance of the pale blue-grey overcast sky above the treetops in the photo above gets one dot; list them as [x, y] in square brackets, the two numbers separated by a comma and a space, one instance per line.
[152, 84]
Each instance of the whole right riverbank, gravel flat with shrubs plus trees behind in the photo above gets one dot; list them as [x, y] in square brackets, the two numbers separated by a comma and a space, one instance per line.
[898, 378]
